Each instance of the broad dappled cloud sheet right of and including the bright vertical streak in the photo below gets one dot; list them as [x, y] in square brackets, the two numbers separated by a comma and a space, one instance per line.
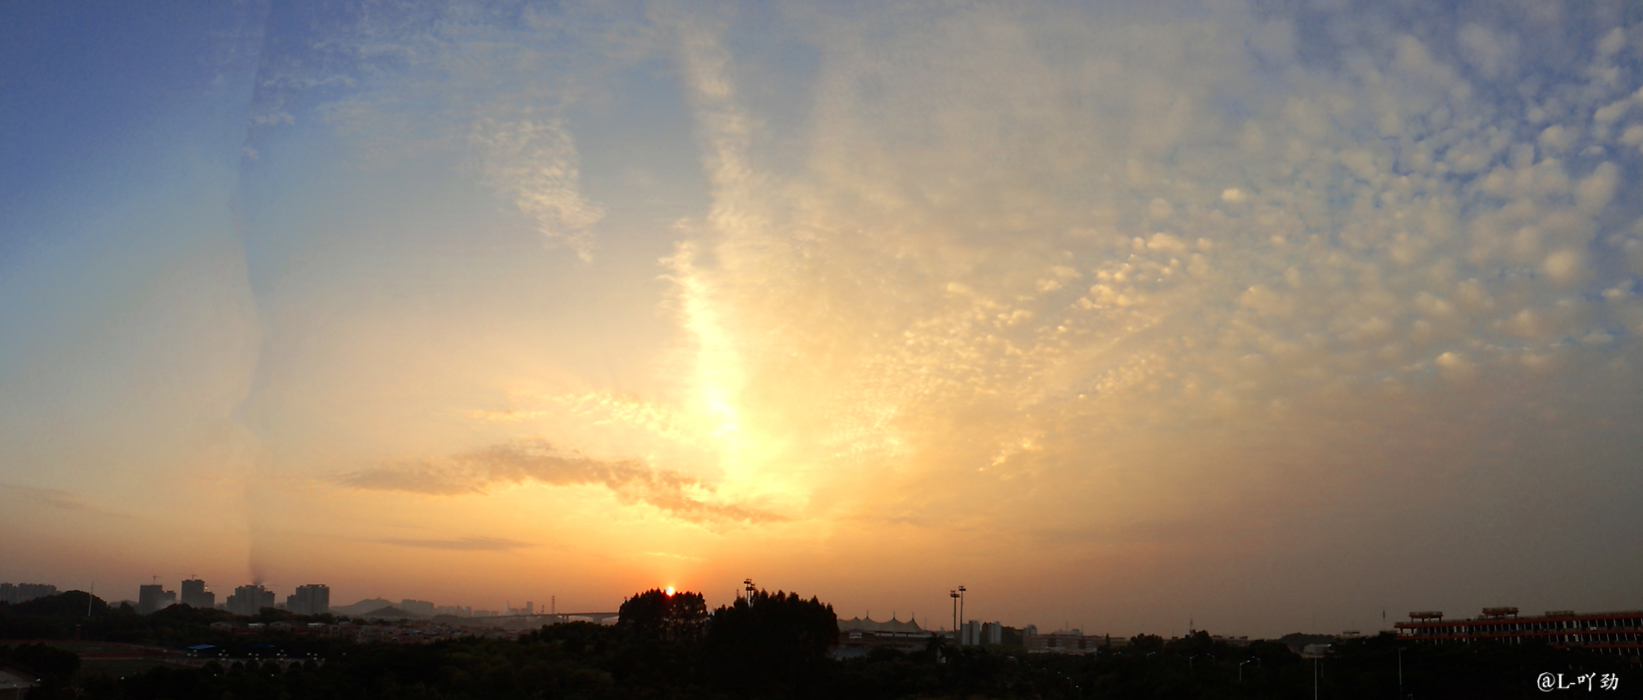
[1365, 216]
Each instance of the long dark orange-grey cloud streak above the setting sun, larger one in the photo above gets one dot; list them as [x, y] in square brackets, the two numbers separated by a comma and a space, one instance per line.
[540, 463]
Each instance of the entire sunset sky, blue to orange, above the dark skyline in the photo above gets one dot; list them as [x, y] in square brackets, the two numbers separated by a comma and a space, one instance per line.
[1259, 318]
